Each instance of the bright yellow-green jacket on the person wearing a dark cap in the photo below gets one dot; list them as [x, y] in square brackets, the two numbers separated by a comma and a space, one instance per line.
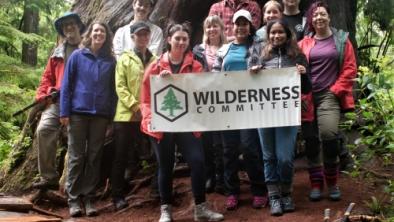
[128, 79]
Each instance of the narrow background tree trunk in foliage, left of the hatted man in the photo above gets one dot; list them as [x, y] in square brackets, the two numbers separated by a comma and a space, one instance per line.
[30, 25]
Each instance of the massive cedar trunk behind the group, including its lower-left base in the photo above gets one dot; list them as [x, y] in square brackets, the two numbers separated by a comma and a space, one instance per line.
[119, 12]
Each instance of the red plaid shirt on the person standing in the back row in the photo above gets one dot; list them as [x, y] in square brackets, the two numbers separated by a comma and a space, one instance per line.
[225, 10]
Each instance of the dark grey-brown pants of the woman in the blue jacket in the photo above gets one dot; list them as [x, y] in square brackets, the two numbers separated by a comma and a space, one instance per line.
[86, 135]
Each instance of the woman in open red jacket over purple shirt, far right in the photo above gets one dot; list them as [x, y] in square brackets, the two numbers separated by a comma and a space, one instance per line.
[333, 66]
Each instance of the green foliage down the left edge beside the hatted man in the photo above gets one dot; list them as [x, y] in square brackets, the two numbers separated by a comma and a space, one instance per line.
[18, 82]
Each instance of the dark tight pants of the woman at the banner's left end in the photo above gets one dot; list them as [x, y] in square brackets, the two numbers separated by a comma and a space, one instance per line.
[193, 152]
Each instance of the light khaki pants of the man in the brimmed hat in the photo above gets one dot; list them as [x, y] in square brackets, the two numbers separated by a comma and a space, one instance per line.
[48, 131]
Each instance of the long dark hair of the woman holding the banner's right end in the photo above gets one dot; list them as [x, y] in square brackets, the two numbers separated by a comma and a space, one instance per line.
[291, 48]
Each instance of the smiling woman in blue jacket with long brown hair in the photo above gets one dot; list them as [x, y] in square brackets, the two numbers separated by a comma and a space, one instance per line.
[87, 104]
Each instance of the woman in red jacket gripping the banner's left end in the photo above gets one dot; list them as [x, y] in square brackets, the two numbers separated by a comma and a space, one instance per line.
[178, 59]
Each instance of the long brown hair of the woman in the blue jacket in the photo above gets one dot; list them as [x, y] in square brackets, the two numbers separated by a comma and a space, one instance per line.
[106, 49]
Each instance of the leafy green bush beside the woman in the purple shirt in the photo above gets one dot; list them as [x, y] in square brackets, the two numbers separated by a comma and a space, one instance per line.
[375, 109]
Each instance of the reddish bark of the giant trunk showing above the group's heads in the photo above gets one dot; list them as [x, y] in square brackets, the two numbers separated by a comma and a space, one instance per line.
[119, 12]
